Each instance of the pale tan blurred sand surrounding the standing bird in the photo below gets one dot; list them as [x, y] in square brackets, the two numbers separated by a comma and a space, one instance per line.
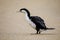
[13, 25]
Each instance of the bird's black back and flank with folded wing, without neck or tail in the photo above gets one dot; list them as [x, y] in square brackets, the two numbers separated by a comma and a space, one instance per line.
[38, 21]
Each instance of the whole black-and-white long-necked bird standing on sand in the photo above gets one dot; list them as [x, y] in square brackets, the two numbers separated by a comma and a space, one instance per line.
[35, 21]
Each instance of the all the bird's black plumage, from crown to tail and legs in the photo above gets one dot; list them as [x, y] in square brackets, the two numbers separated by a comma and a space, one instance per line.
[38, 21]
